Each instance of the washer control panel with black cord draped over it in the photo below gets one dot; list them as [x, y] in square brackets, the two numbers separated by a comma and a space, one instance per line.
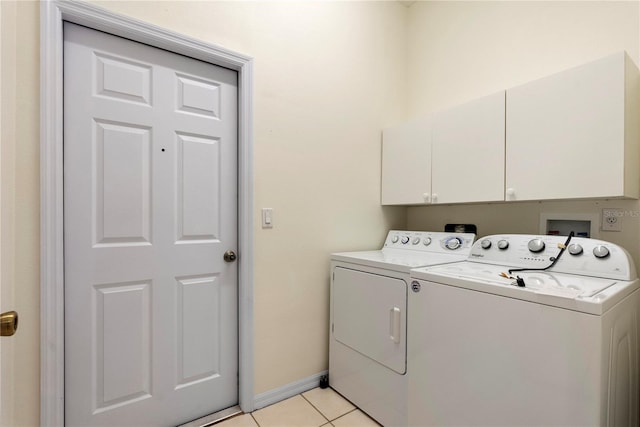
[581, 255]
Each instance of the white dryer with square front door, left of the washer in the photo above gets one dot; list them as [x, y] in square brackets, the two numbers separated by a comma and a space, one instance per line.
[368, 338]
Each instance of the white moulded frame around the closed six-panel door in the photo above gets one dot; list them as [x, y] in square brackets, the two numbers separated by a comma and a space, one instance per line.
[53, 14]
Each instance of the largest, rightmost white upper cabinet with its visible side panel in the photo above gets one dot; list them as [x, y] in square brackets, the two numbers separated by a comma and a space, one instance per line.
[575, 134]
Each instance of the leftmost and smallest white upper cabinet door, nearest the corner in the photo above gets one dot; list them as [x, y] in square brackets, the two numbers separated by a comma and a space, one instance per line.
[406, 163]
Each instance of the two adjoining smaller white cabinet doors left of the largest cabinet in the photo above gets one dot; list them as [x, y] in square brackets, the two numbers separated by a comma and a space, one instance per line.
[453, 156]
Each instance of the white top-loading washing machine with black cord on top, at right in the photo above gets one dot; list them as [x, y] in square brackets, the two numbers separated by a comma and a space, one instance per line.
[553, 345]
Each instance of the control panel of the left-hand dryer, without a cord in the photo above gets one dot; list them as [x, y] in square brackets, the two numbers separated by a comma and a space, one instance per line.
[429, 241]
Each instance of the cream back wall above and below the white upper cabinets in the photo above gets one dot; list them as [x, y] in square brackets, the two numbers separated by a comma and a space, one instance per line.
[459, 51]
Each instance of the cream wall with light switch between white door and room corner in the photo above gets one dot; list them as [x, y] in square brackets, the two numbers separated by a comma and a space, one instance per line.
[326, 81]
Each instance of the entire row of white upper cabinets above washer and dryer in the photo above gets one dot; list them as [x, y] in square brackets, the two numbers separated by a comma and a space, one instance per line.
[572, 135]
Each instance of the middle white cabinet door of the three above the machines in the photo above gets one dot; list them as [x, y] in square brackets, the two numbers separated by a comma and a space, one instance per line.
[468, 152]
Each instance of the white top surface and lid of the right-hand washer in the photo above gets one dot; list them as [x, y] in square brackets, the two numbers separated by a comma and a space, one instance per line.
[581, 293]
